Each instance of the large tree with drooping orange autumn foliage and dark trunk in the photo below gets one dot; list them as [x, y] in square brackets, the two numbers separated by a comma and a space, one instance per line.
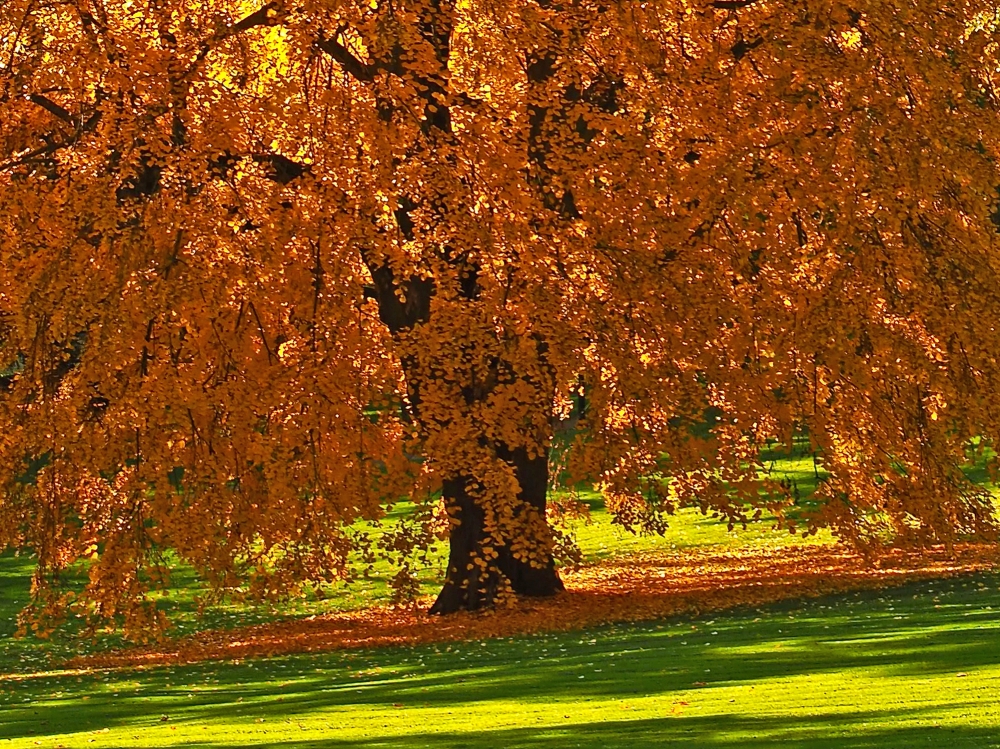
[266, 268]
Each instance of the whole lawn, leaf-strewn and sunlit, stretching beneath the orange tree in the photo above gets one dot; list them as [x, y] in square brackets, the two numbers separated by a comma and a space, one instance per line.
[741, 655]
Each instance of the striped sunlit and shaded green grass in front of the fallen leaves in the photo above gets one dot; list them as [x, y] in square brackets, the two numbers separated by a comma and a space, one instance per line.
[851, 671]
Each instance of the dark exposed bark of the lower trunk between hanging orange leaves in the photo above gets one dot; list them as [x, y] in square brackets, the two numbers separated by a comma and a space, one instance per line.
[467, 585]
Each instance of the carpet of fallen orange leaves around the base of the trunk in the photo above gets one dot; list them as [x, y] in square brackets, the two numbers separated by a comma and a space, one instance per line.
[642, 587]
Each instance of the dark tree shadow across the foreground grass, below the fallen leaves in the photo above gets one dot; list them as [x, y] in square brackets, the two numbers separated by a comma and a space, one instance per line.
[923, 629]
